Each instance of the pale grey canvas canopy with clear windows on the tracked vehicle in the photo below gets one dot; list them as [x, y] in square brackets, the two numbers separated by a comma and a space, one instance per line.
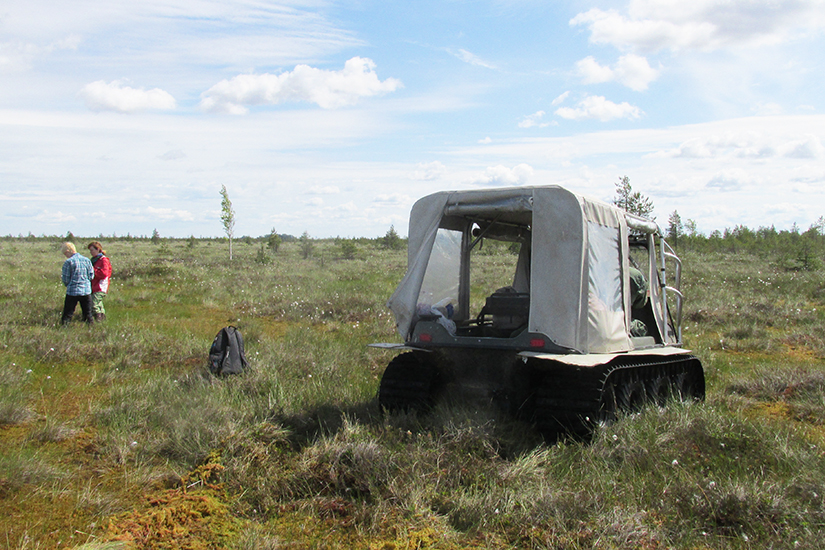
[574, 252]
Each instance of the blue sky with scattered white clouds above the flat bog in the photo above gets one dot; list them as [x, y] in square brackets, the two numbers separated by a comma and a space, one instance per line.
[333, 118]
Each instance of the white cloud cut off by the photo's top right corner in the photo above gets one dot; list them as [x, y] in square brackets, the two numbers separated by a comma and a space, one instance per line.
[653, 25]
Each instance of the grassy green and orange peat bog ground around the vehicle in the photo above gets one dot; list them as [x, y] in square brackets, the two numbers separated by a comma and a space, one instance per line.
[116, 436]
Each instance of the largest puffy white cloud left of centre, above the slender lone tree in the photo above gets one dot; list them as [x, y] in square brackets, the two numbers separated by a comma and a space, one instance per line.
[327, 89]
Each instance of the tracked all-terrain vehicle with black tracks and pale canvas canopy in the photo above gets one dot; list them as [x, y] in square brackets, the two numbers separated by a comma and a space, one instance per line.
[587, 322]
